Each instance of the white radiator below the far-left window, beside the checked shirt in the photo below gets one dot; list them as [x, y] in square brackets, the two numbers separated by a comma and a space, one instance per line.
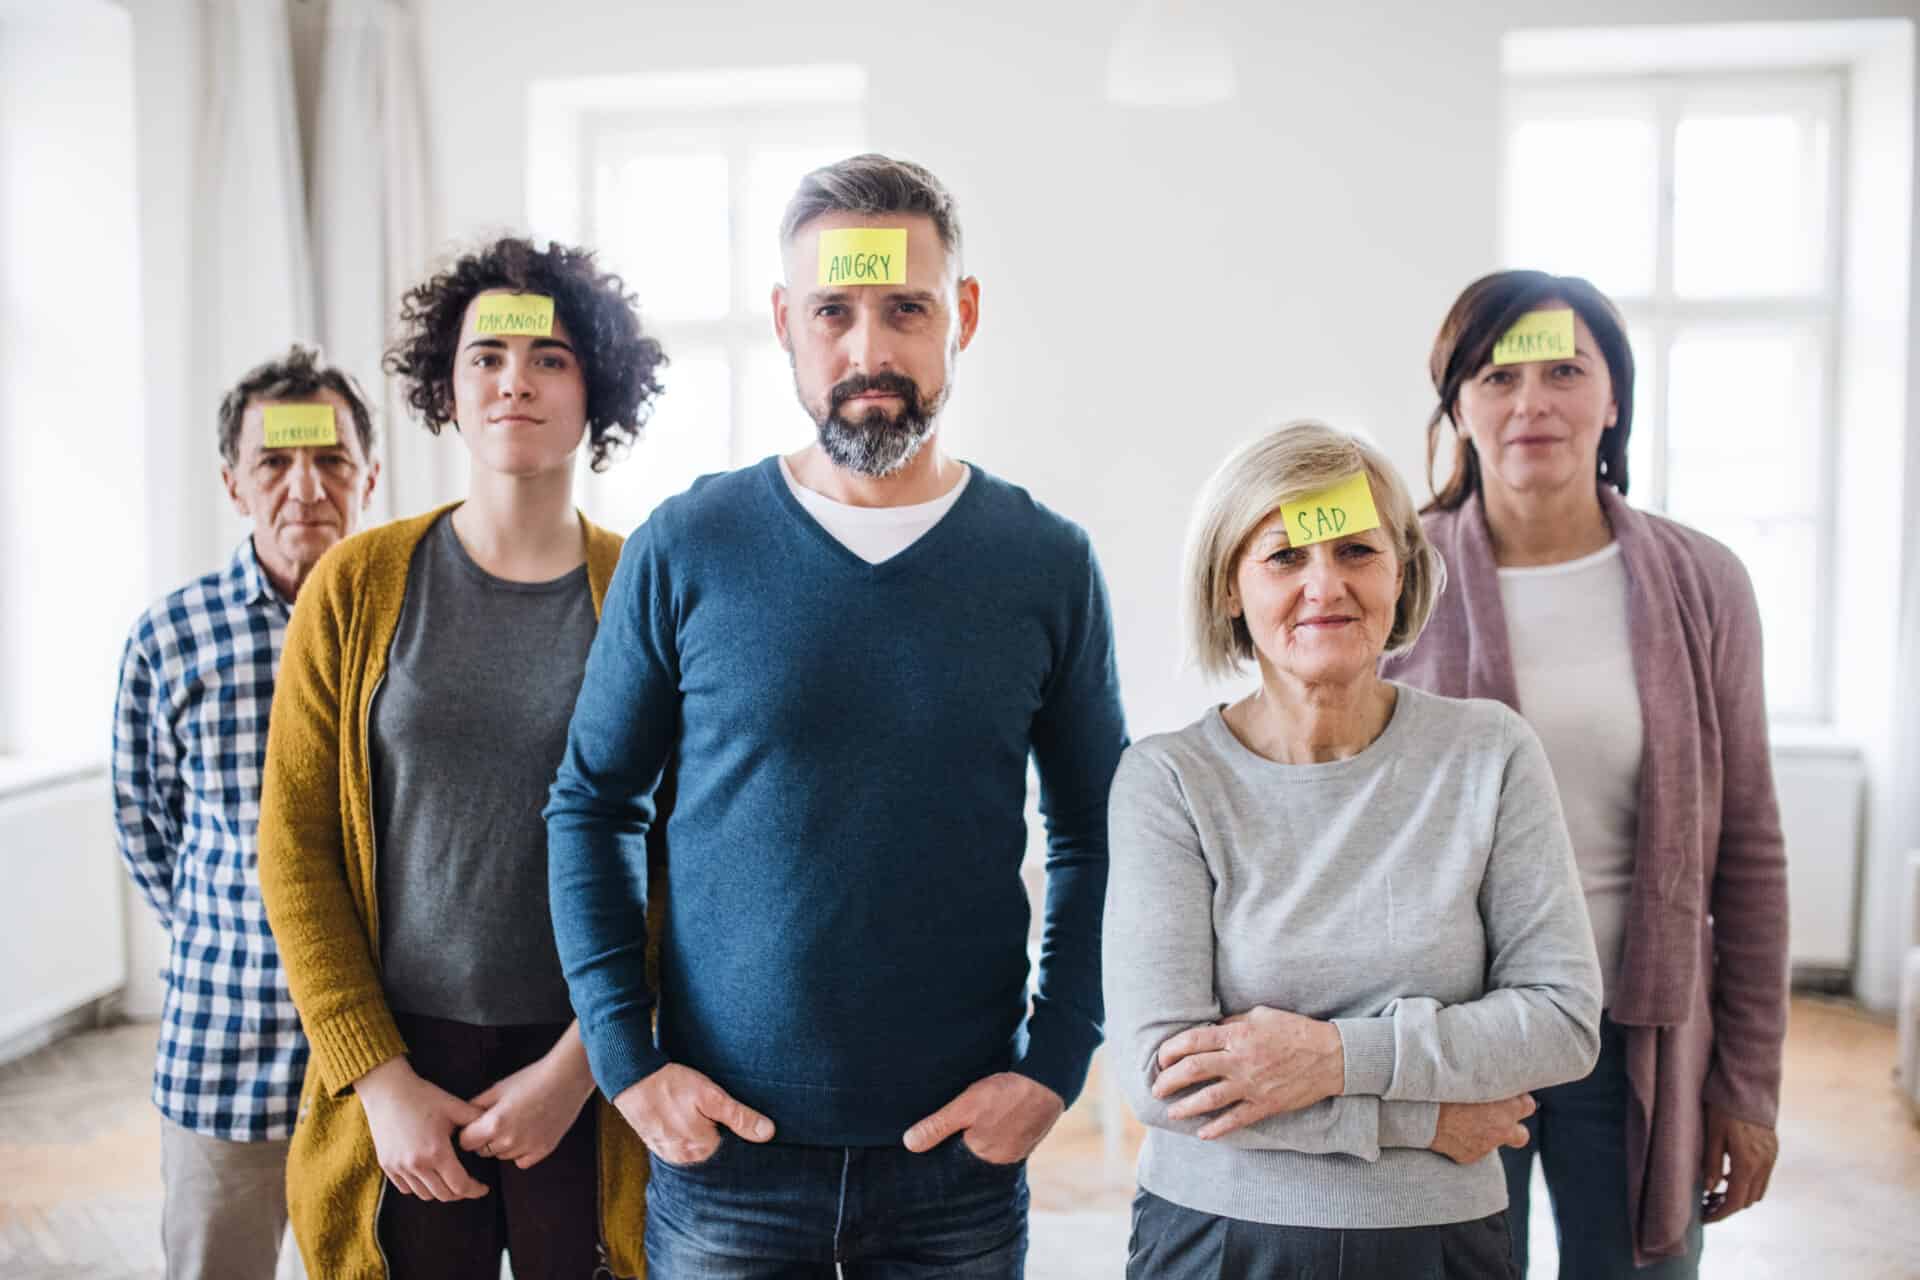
[62, 909]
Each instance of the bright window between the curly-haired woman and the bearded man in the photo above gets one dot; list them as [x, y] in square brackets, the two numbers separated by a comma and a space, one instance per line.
[681, 185]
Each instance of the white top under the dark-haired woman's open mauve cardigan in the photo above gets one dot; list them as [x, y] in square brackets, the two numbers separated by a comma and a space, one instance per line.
[1573, 667]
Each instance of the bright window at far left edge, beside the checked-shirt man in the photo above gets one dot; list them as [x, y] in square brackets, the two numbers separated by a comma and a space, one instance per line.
[76, 425]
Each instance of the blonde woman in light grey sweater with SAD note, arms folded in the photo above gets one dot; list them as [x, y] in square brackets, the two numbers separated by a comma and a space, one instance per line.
[1345, 936]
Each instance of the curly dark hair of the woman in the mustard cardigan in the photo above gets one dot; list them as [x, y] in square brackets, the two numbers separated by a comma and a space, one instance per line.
[619, 362]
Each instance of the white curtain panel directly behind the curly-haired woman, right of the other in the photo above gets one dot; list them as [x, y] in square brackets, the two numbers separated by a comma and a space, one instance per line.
[370, 225]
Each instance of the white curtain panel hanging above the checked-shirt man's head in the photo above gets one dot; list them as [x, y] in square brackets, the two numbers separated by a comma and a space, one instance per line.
[251, 237]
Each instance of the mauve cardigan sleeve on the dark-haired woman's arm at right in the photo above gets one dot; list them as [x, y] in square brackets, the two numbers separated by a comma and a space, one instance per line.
[1748, 895]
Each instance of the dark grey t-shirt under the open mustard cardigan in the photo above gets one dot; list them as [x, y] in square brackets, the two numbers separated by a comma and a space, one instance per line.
[468, 732]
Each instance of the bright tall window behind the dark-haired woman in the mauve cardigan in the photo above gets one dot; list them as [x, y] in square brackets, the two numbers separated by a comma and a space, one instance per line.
[1710, 212]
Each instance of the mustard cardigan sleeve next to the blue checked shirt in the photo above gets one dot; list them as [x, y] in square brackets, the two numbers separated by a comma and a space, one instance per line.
[324, 937]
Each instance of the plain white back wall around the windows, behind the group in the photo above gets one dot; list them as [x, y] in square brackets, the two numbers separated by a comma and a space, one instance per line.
[1159, 283]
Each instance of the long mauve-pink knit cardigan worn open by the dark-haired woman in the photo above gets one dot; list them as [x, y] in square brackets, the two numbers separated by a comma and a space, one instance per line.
[1704, 978]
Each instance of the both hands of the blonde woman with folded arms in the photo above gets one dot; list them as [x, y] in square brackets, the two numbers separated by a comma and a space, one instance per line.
[1268, 1062]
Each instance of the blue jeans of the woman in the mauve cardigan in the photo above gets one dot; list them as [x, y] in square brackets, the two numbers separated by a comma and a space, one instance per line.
[1581, 1139]
